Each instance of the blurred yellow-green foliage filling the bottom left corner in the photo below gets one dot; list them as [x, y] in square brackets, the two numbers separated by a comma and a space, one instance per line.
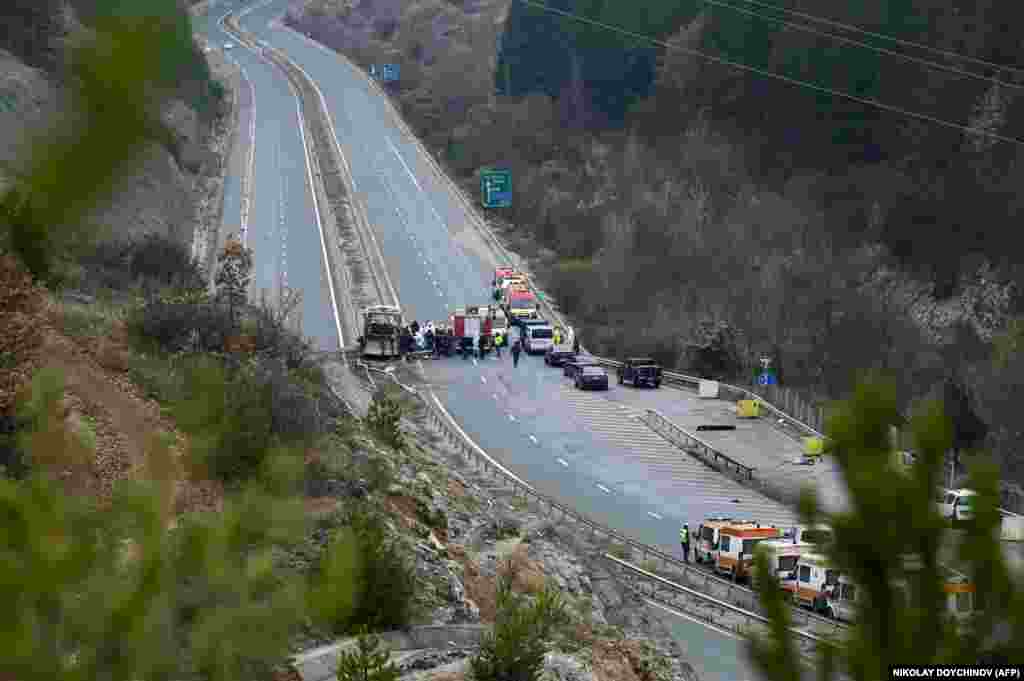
[106, 591]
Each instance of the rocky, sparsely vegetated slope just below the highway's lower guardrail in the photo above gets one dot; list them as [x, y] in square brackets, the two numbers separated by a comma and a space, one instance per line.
[465, 529]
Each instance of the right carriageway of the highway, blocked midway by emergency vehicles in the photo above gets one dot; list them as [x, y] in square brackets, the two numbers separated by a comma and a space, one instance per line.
[581, 449]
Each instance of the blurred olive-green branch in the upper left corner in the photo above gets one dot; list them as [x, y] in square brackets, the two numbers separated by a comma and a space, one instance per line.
[121, 73]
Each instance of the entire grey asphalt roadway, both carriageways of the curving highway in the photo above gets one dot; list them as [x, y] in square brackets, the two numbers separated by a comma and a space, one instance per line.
[583, 449]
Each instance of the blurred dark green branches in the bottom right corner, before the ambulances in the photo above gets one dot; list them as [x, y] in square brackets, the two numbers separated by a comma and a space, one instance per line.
[894, 516]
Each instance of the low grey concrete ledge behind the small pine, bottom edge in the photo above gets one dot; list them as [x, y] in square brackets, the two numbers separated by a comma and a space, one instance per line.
[322, 664]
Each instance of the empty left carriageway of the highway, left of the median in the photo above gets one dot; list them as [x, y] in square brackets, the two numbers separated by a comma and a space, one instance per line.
[270, 160]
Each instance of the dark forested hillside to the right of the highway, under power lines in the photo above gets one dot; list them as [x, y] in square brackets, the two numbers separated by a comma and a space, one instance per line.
[686, 207]
